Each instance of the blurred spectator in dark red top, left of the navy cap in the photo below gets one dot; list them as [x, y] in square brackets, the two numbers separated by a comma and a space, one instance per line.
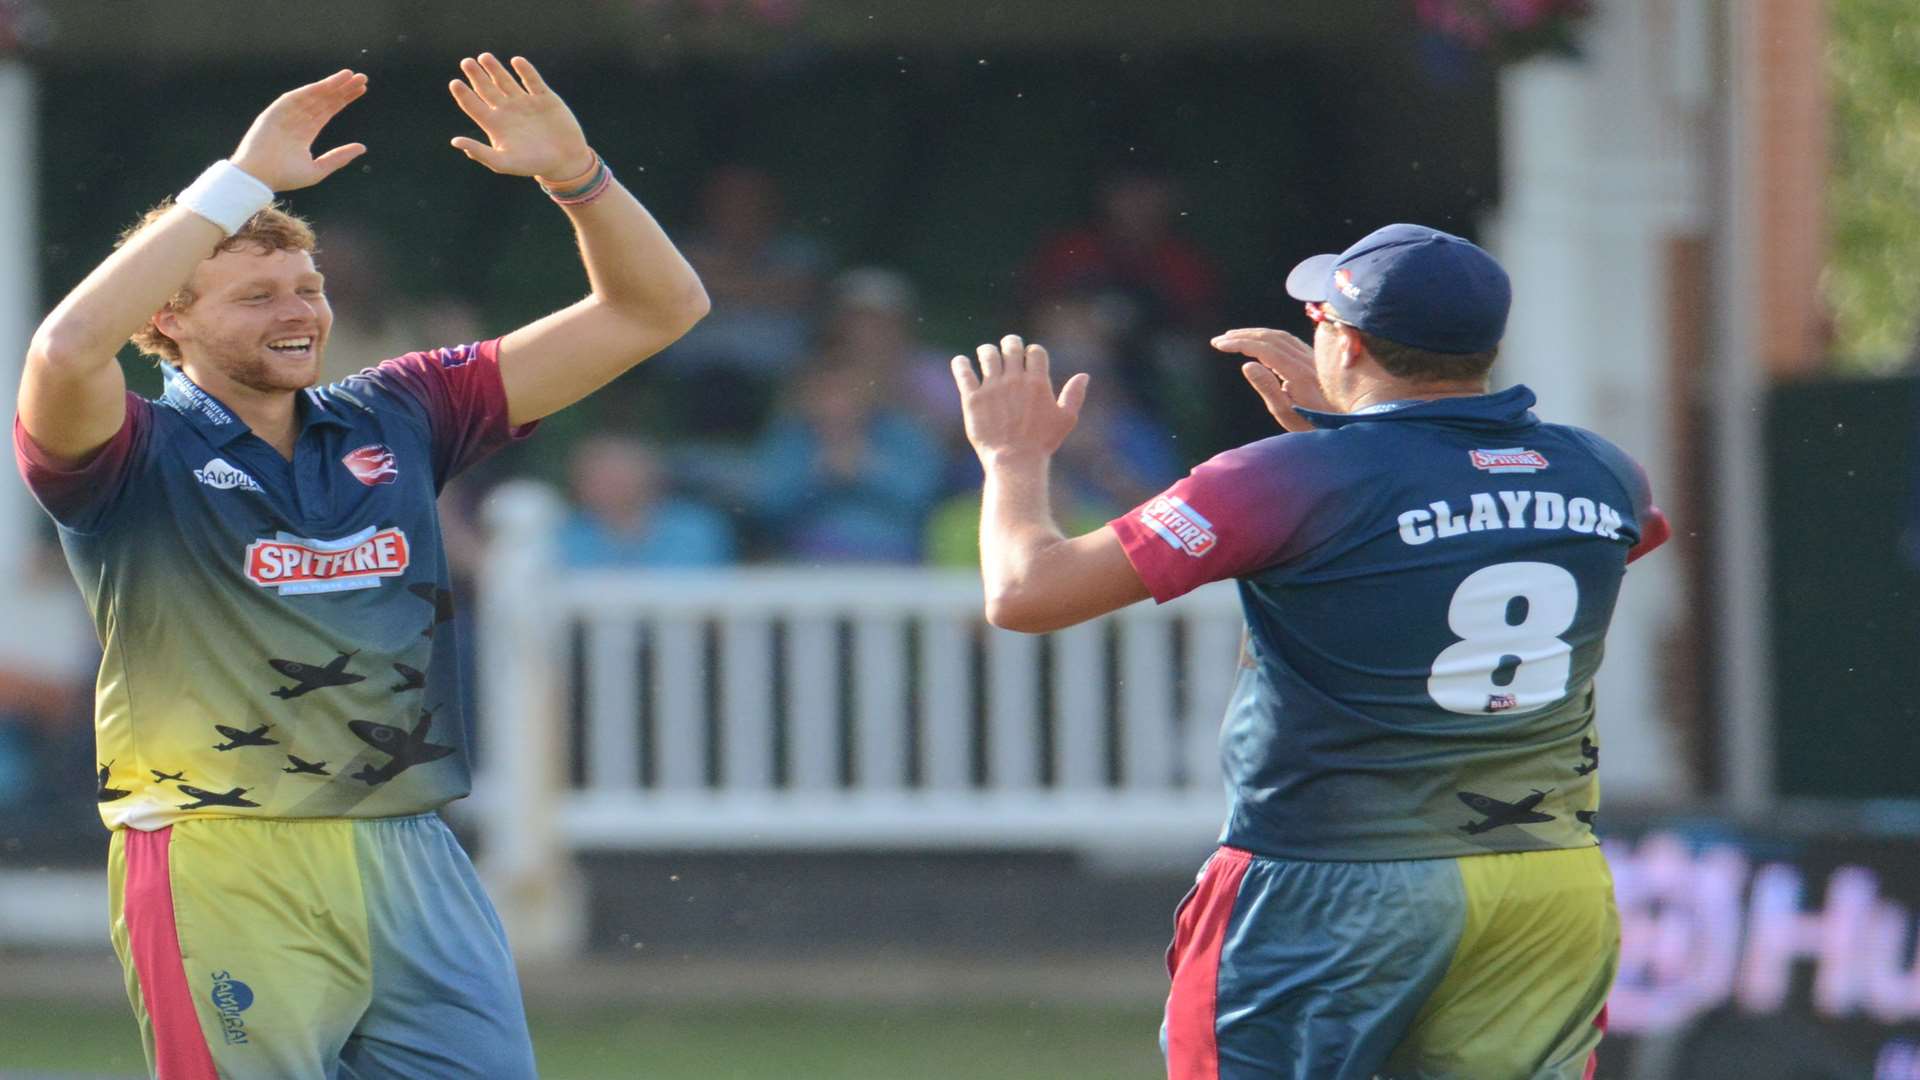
[1134, 251]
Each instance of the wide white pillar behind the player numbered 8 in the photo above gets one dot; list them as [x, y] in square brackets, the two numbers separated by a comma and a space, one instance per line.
[1602, 172]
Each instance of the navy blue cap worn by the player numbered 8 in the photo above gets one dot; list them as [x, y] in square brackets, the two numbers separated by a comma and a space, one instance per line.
[1412, 285]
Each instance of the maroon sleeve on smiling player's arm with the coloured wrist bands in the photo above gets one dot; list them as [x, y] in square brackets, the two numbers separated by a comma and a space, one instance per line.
[462, 397]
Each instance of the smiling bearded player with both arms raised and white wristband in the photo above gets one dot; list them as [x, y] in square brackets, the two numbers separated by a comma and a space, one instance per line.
[277, 708]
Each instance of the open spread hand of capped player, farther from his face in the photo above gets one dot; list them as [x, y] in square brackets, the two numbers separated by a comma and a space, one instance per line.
[1011, 406]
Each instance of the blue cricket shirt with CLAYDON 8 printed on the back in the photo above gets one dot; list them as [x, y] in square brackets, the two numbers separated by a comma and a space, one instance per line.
[1428, 589]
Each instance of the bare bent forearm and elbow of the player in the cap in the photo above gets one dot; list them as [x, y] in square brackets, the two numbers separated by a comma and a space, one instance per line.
[1036, 577]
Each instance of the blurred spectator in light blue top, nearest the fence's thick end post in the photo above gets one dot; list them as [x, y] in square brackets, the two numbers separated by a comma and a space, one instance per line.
[625, 516]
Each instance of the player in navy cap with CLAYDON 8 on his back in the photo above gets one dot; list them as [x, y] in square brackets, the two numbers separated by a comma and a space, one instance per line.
[1408, 881]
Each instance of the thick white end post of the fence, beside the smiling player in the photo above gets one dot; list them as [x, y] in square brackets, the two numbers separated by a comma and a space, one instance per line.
[525, 862]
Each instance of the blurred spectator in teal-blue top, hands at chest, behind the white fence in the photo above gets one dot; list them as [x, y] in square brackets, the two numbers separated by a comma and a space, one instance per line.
[842, 476]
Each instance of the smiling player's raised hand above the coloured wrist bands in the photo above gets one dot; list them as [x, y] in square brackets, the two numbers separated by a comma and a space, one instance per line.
[529, 128]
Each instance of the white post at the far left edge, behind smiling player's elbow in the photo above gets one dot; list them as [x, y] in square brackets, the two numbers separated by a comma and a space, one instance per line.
[18, 307]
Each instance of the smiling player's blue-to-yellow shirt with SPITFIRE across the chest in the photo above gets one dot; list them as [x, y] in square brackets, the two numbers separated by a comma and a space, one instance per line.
[277, 635]
